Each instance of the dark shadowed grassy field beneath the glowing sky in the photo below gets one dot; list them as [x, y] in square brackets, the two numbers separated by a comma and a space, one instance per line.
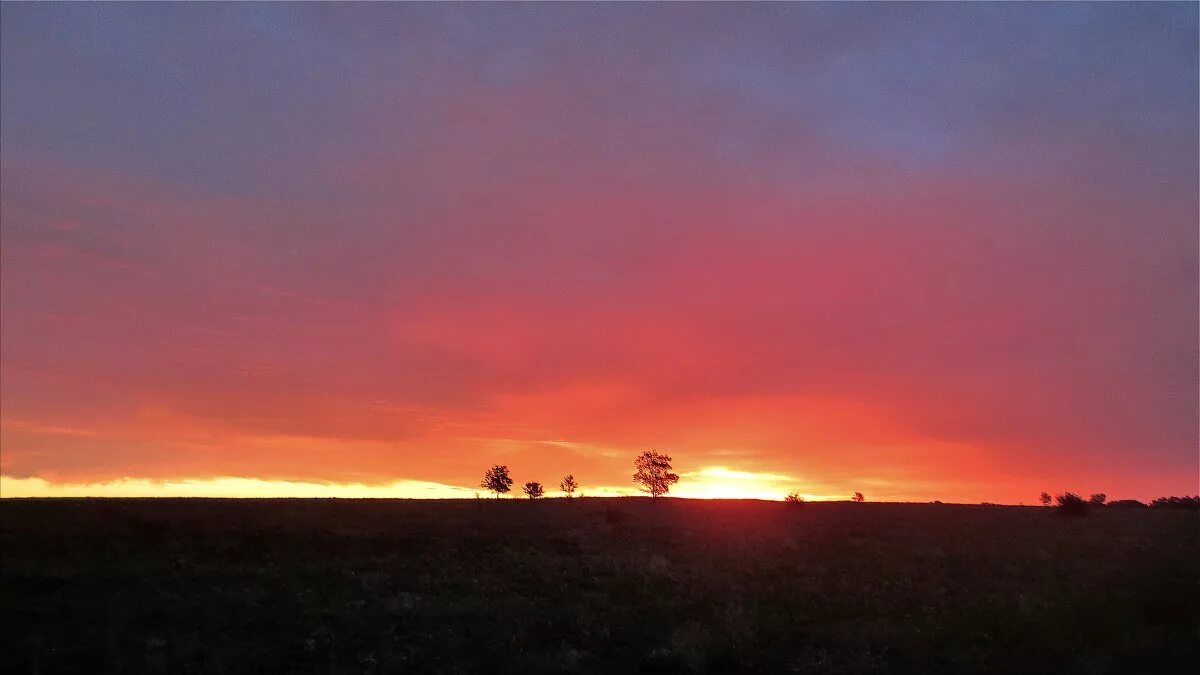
[593, 587]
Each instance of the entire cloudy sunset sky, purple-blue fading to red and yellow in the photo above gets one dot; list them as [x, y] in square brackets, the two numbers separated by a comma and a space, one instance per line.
[940, 252]
